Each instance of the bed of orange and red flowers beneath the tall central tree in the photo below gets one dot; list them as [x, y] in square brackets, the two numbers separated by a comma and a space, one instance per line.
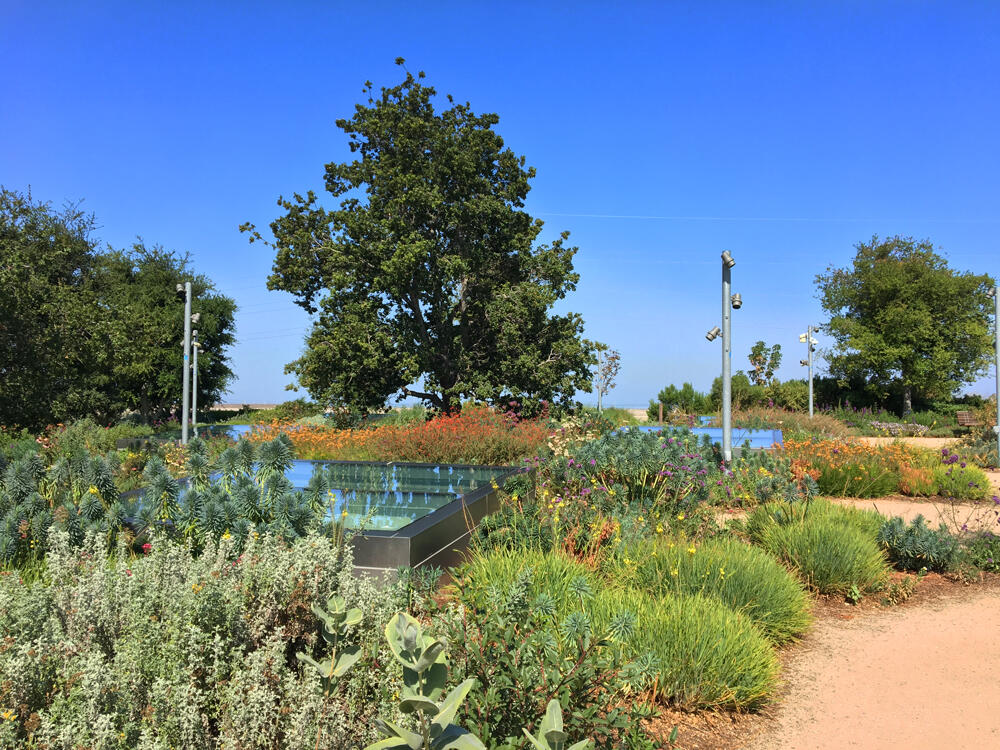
[476, 435]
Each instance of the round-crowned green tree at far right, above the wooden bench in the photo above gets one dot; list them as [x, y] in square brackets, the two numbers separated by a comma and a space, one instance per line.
[900, 315]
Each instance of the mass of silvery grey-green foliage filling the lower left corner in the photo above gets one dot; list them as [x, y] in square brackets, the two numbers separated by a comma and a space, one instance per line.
[166, 649]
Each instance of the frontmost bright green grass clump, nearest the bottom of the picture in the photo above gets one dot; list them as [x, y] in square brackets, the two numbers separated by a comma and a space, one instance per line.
[706, 654]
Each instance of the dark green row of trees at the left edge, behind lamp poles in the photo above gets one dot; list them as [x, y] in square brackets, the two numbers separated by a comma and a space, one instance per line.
[92, 332]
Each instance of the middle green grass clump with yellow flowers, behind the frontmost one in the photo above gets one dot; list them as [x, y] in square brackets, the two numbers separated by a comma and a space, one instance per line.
[745, 578]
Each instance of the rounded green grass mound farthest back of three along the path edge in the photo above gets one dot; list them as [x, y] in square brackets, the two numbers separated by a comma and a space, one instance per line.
[833, 552]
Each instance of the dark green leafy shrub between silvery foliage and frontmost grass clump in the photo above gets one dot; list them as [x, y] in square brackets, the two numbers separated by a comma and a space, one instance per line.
[523, 653]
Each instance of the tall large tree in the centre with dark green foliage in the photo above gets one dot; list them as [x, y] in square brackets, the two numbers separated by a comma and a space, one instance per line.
[428, 273]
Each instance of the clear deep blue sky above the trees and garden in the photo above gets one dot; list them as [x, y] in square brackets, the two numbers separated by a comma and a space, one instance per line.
[663, 133]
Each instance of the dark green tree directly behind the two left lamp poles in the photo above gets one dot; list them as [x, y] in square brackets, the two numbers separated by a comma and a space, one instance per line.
[148, 332]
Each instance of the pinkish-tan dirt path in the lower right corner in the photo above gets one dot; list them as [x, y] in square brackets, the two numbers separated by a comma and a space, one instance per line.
[916, 677]
